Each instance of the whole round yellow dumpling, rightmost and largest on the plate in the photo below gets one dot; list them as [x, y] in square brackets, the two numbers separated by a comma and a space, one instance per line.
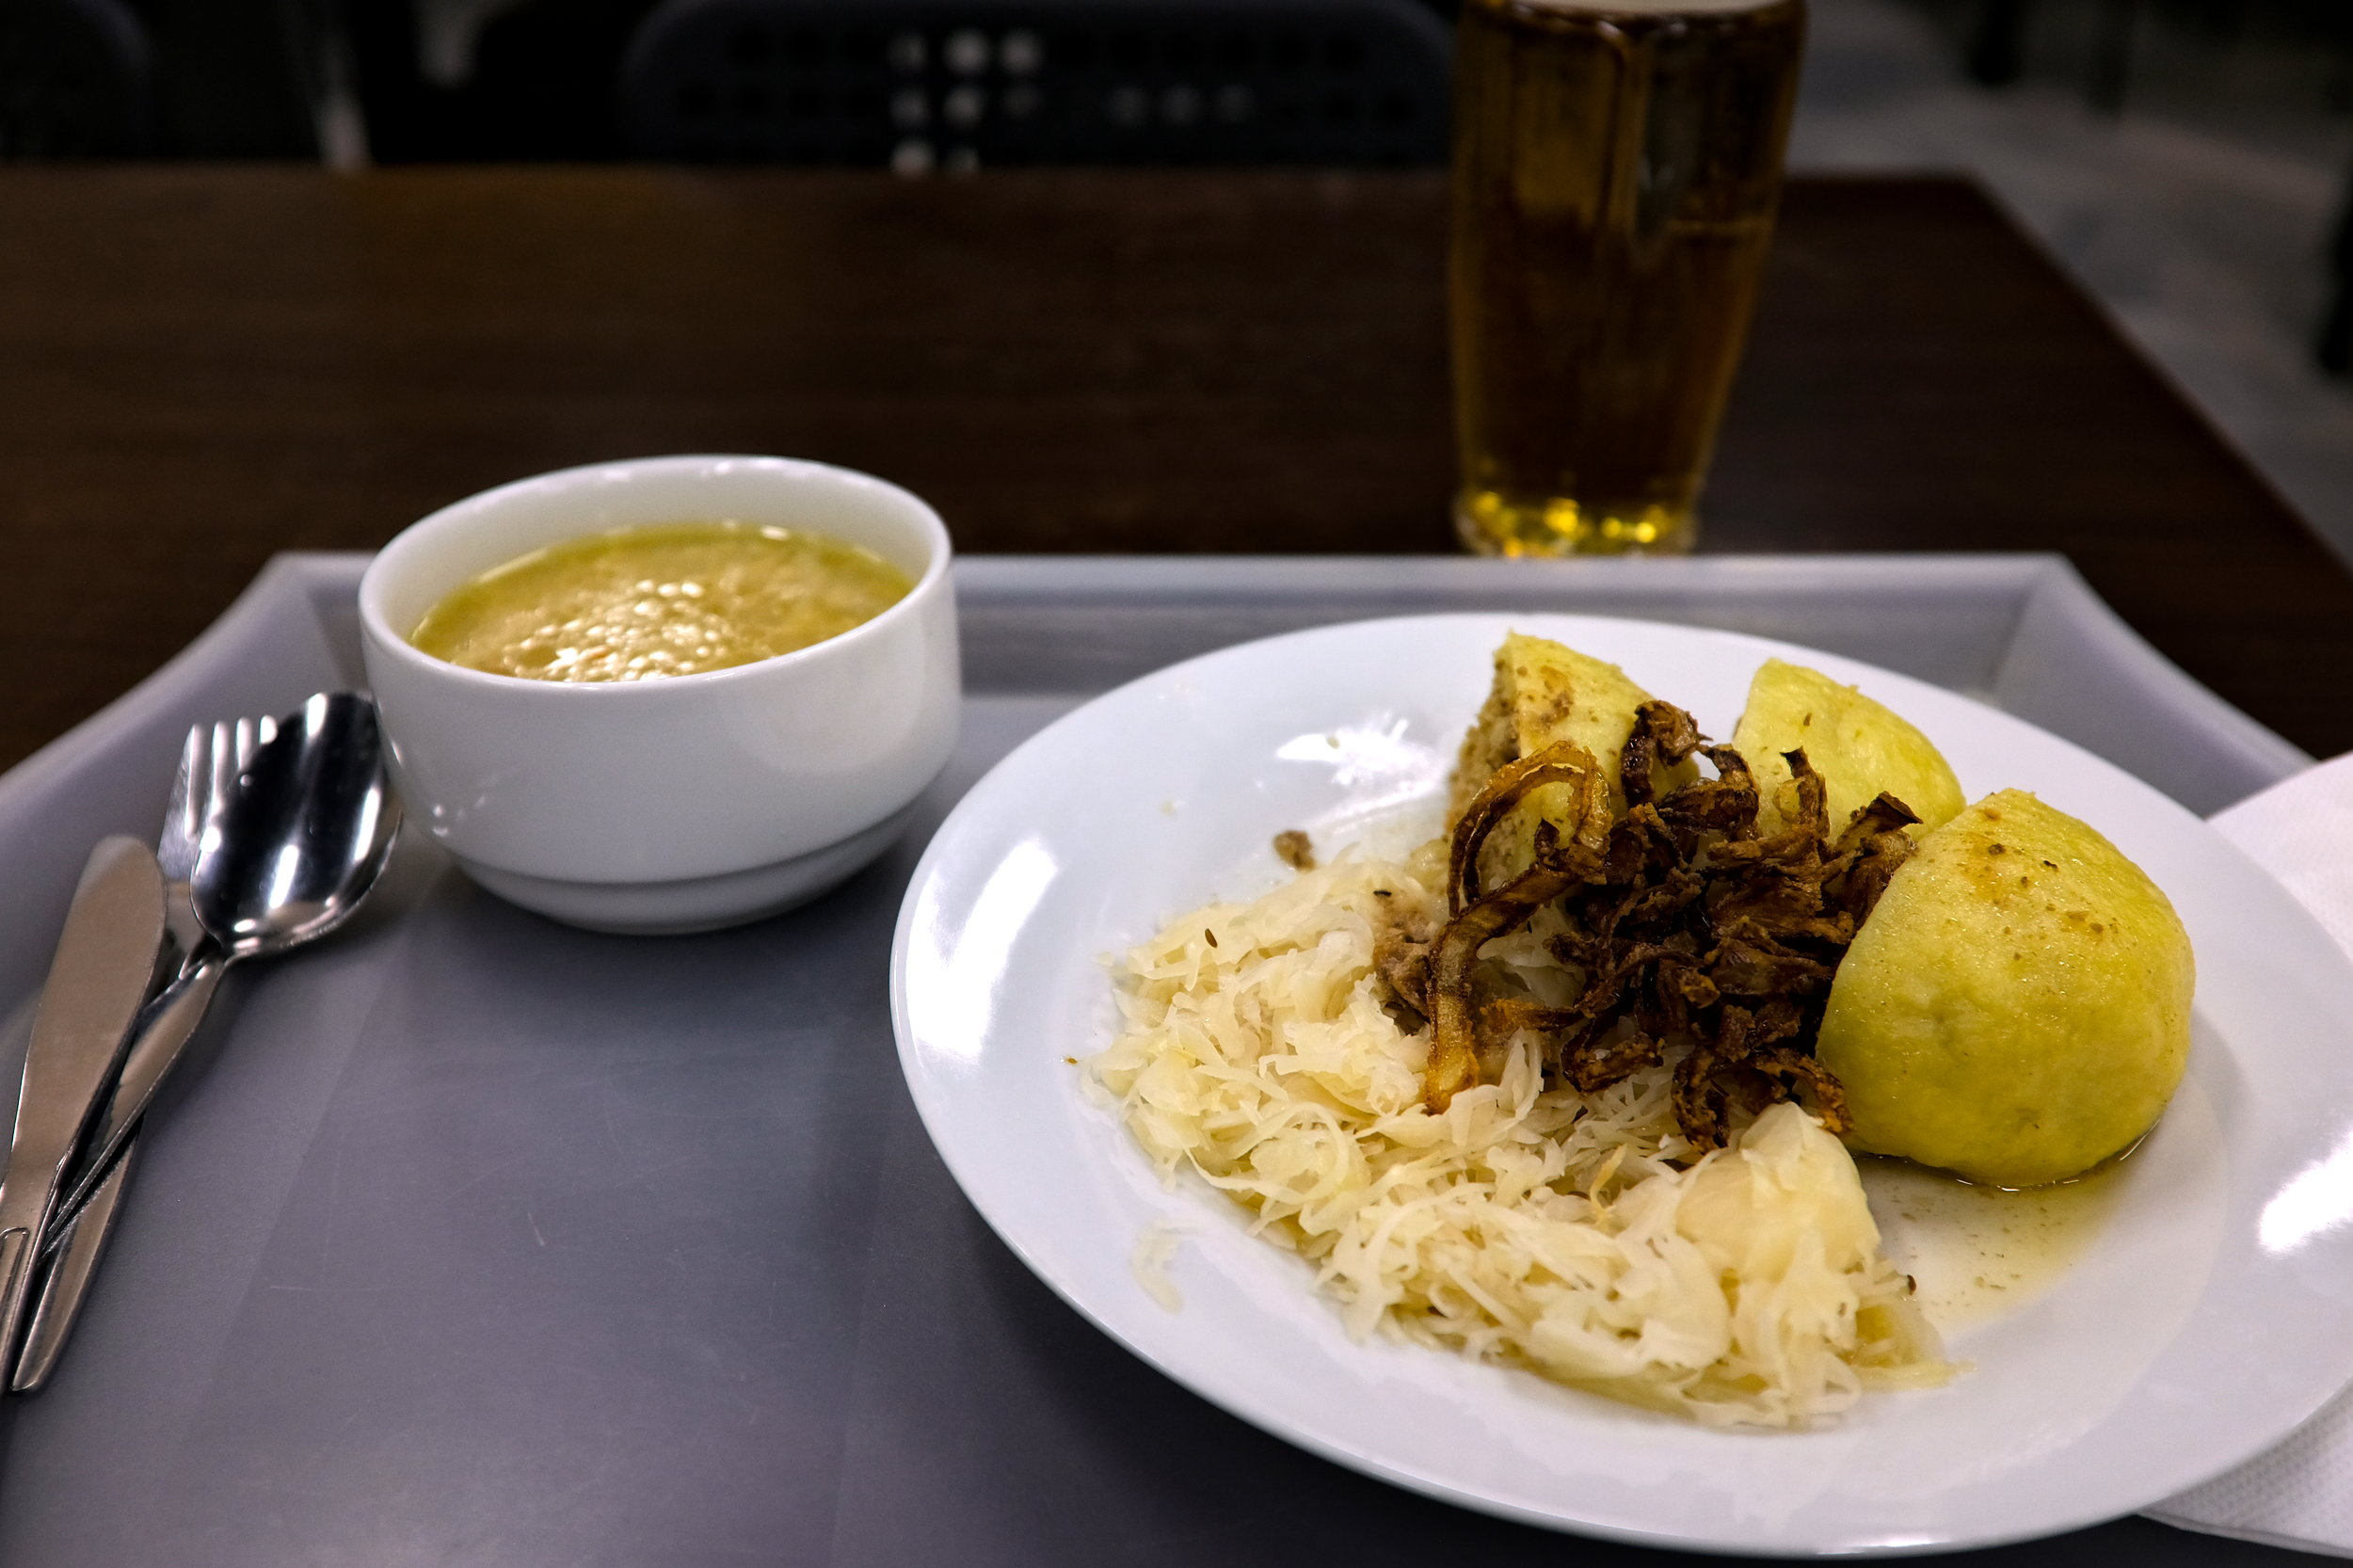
[2018, 1006]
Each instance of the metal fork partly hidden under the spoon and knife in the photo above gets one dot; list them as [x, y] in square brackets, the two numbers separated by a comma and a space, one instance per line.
[208, 773]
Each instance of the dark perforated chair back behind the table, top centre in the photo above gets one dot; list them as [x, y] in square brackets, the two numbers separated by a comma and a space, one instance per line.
[982, 84]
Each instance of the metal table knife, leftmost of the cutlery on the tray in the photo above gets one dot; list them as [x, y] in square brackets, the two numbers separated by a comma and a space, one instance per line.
[98, 983]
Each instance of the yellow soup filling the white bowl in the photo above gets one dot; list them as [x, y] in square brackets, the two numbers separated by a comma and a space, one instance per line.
[660, 602]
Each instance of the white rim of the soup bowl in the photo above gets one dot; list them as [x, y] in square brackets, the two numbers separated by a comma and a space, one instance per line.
[627, 470]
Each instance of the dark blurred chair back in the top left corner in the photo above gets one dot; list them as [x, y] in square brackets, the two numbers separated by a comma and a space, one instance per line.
[74, 79]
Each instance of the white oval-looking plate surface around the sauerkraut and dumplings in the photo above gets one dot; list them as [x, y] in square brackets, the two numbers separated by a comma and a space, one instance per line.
[2213, 1313]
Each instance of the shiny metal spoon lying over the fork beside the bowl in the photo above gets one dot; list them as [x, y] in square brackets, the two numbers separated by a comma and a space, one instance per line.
[291, 846]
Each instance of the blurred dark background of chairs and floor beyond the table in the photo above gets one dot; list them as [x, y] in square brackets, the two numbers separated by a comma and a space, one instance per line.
[2189, 161]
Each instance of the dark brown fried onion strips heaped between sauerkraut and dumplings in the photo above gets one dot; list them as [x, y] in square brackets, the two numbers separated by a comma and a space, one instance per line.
[1688, 929]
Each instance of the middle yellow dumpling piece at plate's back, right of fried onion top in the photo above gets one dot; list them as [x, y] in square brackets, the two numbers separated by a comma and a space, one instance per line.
[1853, 743]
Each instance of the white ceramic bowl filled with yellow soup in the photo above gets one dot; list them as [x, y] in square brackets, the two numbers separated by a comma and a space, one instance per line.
[672, 693]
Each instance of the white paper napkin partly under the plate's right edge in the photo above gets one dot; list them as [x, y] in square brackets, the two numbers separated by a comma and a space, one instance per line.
[2302, 1491]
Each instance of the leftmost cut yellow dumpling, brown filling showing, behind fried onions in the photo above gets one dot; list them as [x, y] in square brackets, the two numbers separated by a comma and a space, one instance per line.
[1547, 693]
